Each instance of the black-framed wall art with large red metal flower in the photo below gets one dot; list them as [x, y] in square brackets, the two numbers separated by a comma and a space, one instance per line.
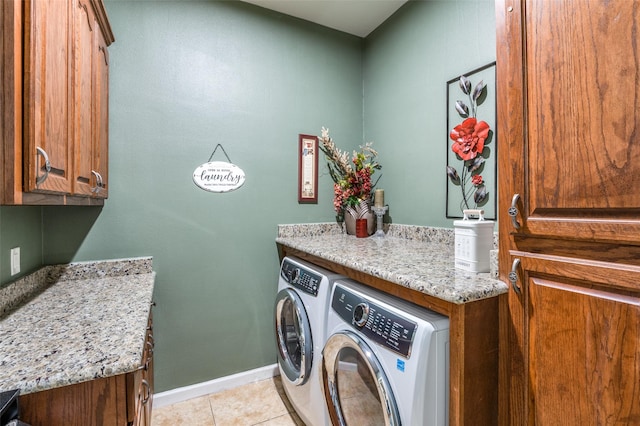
[471, 143]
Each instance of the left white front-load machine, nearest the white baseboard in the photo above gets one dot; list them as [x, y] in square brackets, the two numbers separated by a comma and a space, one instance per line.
[300, 325]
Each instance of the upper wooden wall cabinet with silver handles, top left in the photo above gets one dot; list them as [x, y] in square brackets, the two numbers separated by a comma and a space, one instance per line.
[58, 126]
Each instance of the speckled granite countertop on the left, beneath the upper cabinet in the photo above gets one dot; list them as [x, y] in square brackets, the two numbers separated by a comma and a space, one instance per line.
[67, 324]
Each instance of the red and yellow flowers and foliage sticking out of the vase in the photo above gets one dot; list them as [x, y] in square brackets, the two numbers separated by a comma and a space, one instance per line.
[351, 177]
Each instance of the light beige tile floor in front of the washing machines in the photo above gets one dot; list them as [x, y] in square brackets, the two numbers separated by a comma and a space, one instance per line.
[262, 403]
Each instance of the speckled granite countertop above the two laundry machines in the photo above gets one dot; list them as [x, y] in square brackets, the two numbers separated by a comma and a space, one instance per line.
[417, 257]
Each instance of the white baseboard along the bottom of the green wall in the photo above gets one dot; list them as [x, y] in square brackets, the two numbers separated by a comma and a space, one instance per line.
[212, 386]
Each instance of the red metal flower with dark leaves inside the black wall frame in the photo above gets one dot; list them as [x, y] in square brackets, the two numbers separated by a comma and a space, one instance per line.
[469, 140]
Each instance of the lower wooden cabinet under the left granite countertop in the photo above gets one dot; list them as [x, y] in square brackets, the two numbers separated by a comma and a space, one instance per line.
[123, 400]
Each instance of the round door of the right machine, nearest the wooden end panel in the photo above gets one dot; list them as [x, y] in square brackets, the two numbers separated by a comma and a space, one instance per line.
[356, 388]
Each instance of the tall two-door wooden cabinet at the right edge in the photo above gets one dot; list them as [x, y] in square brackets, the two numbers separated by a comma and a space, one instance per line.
[569, 187]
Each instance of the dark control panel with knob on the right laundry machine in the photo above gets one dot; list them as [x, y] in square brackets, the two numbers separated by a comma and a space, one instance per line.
[380, 325]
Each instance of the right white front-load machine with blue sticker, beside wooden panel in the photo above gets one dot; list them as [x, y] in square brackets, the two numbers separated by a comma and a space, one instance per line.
[385, 361]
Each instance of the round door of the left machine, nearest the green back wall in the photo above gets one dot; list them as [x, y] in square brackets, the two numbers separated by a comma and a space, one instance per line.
[293, 337]
